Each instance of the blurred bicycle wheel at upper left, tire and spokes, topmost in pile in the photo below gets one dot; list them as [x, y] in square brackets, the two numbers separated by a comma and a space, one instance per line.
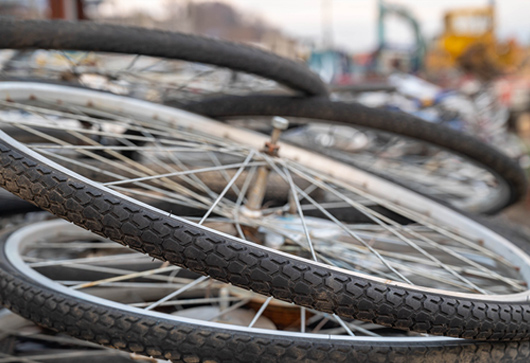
[150, 64]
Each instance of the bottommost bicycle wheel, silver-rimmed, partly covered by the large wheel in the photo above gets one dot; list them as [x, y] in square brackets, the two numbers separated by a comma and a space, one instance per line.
[85, 272]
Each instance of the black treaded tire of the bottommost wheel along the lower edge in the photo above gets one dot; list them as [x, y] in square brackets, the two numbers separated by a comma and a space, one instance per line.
[184, 341]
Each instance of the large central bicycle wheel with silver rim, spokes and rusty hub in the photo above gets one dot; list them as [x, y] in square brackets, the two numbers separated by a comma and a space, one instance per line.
[417, 265]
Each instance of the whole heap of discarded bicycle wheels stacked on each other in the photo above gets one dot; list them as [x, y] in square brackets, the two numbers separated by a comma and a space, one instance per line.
[212, 232]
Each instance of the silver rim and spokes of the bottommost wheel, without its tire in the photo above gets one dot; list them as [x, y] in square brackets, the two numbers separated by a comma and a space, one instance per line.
[22, 250]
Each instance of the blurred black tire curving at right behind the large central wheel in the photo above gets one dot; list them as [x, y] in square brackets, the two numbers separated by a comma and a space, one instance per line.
[505, 168]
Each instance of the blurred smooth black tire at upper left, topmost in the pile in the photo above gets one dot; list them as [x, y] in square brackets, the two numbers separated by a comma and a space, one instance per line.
[89, 36]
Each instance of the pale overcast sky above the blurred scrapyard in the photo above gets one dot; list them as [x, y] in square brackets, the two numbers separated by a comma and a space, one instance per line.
[354, 21]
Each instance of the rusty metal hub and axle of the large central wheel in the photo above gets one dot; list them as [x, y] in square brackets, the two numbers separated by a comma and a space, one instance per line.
[256, 193]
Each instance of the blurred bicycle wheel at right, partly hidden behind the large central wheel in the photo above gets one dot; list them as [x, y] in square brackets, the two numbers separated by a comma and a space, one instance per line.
[430, 159]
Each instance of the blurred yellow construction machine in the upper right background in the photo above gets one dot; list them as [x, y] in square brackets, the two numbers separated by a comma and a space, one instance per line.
[469, 41]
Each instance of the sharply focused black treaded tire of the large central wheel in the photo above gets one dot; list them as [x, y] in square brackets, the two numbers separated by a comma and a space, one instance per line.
[201, 250]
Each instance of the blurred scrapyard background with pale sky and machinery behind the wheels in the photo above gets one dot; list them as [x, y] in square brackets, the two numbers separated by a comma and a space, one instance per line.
[422, 49]
